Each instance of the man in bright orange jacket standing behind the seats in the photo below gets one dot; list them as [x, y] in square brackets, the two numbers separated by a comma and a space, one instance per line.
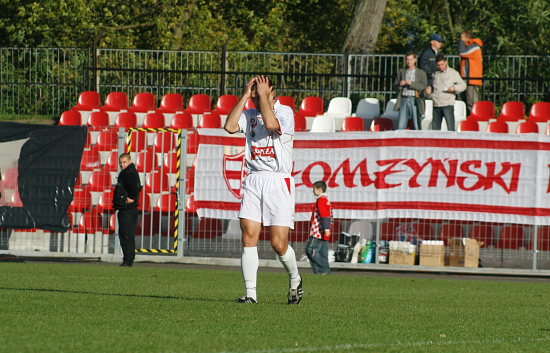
[471, 66]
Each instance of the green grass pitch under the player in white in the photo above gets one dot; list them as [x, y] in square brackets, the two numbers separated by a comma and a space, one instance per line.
[105, 308]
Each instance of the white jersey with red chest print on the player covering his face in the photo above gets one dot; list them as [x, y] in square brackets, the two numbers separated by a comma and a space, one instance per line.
[268, 151]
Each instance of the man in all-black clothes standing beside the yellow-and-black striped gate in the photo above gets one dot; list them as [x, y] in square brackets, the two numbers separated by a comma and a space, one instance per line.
[126, 201]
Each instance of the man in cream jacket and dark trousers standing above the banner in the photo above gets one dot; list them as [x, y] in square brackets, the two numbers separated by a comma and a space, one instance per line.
[446, 85]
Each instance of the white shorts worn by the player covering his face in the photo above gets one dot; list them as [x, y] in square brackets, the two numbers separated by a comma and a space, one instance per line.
[268, 198]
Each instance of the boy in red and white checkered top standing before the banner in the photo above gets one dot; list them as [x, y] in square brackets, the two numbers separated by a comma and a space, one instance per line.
[319, 234]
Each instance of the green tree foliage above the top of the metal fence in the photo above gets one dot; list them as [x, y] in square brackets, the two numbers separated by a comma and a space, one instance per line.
[507, 26]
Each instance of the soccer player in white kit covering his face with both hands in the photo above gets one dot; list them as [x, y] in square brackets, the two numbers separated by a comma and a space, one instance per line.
[268, 190]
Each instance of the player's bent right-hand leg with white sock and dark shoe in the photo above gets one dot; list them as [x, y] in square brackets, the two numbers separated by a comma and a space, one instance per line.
[279, 242]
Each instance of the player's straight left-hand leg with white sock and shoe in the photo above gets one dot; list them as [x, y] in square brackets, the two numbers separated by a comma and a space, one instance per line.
[249, 259]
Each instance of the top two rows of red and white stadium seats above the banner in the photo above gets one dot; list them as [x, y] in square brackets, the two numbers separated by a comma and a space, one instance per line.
[310, 117]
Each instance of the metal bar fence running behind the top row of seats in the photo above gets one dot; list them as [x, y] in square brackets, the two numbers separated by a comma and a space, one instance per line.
[49, 80]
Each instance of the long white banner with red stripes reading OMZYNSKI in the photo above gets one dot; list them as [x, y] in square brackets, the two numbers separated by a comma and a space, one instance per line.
[407, 174]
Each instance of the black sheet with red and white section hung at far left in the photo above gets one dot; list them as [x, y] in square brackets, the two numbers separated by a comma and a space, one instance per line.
[39, 166]
